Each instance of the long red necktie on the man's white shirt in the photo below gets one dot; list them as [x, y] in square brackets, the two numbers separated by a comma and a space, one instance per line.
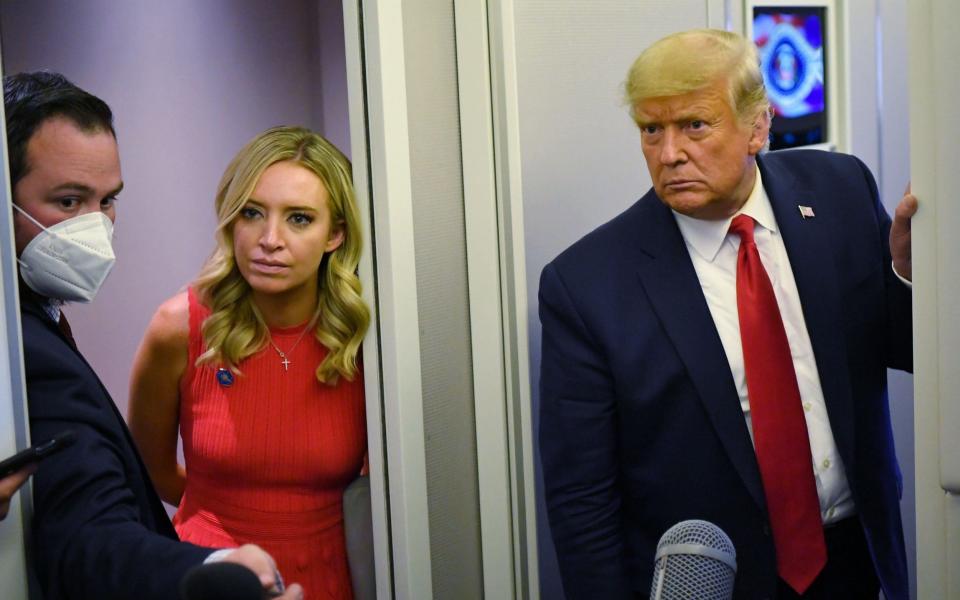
[779, 429]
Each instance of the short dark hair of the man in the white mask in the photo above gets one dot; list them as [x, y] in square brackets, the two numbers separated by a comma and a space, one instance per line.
[31, 98]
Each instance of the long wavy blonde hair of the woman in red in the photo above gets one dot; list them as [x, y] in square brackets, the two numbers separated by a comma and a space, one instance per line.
[235, 328]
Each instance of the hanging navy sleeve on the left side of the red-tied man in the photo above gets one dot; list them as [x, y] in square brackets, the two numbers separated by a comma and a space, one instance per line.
[578, 446]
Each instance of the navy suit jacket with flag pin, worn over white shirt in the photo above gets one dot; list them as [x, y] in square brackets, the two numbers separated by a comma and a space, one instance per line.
[640, 423]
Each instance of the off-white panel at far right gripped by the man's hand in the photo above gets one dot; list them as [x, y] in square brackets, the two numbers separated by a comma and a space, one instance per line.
[935, 147]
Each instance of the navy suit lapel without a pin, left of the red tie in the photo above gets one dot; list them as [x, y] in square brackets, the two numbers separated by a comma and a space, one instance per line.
[670, 282]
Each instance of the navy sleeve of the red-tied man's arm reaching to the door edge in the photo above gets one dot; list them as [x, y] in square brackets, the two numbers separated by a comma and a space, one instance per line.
[898, 347]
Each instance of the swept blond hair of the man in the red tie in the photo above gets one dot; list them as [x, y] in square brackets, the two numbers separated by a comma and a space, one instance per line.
[689, 61]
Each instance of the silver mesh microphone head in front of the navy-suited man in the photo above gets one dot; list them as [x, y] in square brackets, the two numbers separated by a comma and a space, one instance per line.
[695, 559]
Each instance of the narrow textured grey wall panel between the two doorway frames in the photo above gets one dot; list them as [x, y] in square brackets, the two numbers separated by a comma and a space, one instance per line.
[449, 423]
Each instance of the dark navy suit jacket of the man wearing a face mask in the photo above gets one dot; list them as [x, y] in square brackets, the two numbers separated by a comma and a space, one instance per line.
[99, 529]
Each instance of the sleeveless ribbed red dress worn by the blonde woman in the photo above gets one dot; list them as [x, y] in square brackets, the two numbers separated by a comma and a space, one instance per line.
[268, 457]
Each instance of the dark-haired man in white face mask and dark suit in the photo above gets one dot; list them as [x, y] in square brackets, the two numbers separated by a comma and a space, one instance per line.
[99, 529]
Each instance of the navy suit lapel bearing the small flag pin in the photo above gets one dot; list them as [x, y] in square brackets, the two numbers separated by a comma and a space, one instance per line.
[809, 243]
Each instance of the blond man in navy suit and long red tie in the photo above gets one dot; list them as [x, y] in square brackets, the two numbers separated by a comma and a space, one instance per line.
[719, 350]
